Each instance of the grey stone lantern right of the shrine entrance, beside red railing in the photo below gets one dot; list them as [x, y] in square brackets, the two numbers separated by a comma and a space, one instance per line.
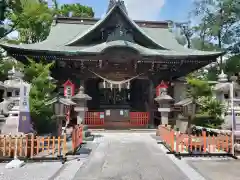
[164, 104]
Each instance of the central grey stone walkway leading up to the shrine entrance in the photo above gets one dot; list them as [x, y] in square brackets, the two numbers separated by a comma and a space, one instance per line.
[128, 156]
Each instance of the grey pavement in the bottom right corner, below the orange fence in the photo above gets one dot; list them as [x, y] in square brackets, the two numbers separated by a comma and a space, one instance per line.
[217, 169]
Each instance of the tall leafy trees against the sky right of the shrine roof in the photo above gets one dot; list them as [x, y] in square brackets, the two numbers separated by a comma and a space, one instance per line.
[217, 28]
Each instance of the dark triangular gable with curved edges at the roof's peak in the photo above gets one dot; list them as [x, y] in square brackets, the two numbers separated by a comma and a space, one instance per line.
[119, 26]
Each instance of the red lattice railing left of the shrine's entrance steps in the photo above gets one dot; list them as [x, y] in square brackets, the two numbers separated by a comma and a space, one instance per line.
[94, 118]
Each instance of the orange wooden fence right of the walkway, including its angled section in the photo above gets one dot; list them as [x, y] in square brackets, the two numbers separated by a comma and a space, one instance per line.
[181, 143]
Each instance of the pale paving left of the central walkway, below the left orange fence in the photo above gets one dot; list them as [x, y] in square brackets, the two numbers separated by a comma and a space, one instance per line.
[49, 170]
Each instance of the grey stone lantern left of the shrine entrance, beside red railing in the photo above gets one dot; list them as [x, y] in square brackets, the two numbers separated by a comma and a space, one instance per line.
[81, 104]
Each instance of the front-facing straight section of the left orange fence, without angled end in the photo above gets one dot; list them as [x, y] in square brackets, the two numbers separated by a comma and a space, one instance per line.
[30, 146]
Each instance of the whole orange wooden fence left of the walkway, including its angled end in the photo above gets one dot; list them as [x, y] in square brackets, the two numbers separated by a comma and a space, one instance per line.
[30, 146]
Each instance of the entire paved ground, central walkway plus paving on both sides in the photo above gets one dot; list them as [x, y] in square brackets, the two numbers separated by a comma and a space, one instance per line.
[126, 155]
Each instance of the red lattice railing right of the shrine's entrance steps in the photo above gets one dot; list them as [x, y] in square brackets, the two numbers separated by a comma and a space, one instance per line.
[139, 118]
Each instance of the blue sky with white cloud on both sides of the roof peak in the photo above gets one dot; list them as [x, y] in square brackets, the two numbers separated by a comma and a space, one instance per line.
[176, 10]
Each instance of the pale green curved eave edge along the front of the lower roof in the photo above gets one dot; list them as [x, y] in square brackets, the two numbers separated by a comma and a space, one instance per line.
[100, 48]
